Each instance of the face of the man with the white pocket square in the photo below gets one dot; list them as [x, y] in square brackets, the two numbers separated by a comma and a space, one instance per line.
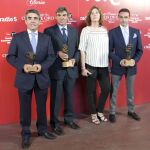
[124, 18]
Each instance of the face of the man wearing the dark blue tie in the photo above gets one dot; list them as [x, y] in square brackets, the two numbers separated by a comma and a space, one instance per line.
[62, 18]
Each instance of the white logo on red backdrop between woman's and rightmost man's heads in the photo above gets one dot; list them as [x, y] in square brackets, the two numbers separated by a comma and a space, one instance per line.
[110, 17]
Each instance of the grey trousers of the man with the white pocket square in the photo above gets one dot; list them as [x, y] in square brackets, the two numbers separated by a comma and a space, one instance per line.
[129, 90]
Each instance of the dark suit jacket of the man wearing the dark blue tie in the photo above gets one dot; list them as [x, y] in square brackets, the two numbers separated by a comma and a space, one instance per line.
[56, 70]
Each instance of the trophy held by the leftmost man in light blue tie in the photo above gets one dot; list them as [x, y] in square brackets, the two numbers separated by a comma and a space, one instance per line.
[30, 59]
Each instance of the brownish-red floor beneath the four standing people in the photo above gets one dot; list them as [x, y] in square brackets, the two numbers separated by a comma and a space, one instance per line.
[125, 134]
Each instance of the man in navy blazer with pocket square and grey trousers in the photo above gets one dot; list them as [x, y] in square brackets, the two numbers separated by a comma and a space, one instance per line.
[125, 52]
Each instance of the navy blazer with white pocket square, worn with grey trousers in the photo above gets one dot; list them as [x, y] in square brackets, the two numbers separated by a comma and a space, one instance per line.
[117, 50]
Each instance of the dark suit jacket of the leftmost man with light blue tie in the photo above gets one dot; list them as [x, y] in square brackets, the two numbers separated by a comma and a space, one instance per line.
[18, 49]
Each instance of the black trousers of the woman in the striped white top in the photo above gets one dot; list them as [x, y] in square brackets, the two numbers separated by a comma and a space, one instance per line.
[101, 75]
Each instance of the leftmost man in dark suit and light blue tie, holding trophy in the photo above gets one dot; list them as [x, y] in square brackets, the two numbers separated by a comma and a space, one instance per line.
[31, 54]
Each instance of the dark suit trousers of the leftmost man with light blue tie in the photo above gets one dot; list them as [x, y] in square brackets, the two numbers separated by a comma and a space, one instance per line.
[25, 97]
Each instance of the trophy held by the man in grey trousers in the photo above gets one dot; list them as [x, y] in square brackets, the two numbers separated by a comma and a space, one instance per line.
[128, 62]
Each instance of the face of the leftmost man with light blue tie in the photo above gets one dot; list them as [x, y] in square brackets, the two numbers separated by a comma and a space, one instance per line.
[32, 21]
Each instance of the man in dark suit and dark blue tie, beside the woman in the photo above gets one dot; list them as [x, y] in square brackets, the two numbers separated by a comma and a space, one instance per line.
[62, 77]
